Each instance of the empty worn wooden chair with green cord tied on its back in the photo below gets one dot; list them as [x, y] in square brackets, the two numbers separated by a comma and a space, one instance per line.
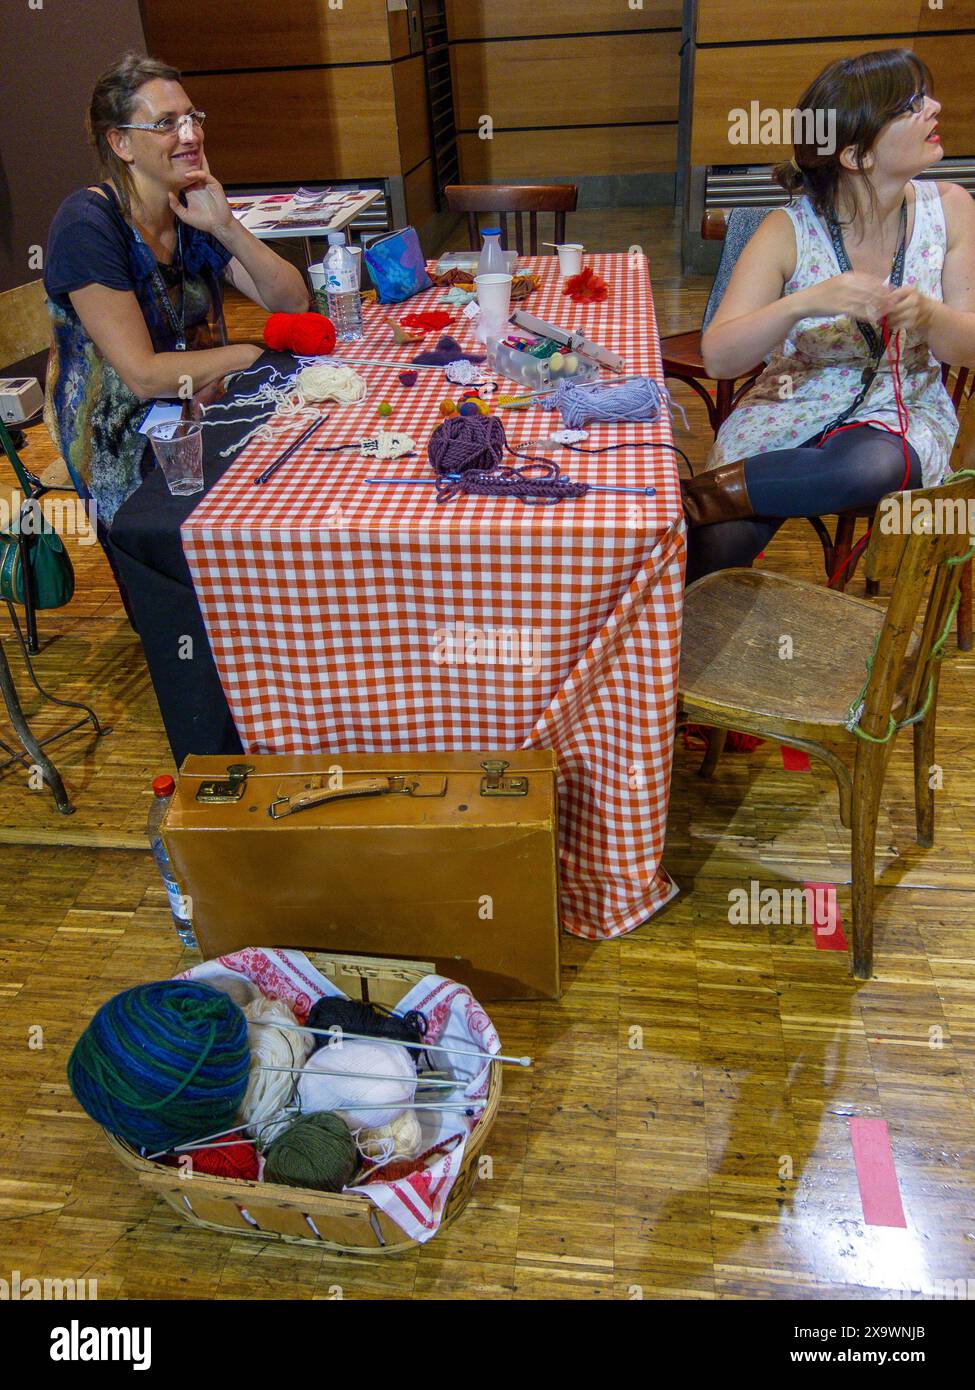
[734, 678]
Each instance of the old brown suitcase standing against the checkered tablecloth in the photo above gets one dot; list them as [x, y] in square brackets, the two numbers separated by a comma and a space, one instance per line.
[450, 858]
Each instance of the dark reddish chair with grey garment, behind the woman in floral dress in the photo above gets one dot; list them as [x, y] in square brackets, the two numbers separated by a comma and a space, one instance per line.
[682, 352]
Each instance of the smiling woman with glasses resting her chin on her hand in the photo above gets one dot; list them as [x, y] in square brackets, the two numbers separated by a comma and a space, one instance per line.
[134, 279]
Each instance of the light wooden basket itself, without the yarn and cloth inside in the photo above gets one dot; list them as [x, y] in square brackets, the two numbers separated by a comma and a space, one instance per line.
[336, 1221]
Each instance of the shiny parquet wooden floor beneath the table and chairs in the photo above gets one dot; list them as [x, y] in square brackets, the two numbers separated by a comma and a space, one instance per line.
[713, 1161]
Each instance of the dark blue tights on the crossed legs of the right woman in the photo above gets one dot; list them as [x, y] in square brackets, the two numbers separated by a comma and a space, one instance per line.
[853, 469]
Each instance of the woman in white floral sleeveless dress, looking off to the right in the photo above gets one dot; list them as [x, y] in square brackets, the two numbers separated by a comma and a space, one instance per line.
[866, 248]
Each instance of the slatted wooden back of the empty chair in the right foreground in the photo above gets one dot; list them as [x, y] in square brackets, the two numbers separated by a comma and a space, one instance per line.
[919, 541]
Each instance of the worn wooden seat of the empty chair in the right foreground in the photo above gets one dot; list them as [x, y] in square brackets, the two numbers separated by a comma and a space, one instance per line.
[735, 623]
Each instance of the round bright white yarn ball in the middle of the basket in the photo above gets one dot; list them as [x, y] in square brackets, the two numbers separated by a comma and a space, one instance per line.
[321, 1092]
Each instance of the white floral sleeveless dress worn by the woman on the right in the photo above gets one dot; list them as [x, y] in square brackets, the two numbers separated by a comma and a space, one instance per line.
[823, 359]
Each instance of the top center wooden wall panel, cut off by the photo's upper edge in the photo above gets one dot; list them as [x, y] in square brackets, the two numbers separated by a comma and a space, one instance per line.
[511, 19]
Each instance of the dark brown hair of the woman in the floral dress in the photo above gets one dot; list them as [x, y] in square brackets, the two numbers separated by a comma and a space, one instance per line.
[864, 94]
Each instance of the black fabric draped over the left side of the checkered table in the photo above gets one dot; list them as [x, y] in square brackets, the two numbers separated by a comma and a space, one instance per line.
[148, 550]
